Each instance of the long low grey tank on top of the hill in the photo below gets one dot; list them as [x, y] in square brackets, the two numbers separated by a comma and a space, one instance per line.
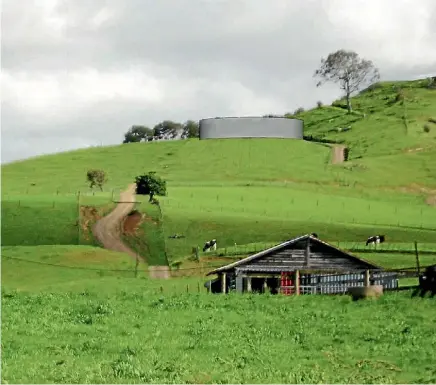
[219, 128]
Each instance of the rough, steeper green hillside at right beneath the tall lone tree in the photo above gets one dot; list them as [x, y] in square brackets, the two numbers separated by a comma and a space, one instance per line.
[389, 118]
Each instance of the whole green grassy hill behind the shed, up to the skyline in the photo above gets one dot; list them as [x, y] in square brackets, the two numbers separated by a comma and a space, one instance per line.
[257, 190]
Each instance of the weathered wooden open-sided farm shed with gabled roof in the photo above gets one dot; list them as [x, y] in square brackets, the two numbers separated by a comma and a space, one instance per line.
[303, 265]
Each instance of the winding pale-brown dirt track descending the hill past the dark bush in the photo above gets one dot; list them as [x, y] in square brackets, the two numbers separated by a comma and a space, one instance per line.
[107, 231]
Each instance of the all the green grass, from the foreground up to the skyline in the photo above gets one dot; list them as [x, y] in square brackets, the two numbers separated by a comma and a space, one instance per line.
[73, 312]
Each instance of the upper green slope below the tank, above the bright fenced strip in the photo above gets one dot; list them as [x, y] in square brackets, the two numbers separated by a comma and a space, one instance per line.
[383, 152]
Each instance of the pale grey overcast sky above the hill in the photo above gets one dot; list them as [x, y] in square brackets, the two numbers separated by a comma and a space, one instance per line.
[79, 73]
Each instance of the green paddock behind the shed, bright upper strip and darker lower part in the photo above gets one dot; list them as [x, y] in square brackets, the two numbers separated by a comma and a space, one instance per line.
[270, 215]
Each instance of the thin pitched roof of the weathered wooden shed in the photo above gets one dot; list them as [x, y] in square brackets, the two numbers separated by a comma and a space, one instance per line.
[284, 245]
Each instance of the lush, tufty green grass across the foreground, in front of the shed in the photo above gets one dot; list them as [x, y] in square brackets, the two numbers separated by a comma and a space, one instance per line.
[130, 334]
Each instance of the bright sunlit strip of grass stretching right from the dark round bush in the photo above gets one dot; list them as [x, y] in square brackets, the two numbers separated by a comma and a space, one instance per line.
[290, 204]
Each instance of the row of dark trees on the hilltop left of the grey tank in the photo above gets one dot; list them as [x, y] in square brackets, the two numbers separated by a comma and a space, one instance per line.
[162, 131]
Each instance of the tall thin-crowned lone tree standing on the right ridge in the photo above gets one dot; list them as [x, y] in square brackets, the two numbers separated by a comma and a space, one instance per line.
[347, 69]
